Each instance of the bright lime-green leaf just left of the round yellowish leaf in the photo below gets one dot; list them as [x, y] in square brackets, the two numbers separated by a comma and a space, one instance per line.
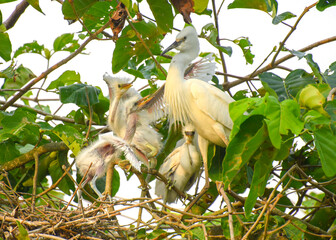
[290, 117]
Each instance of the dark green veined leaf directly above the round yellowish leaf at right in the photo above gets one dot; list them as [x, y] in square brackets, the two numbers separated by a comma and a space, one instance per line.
[297, 80]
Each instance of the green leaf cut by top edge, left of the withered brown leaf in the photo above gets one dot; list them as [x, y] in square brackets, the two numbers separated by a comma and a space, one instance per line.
[78, 8]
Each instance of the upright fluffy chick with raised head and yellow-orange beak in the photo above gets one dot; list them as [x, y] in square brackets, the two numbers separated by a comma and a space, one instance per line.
[122, 100]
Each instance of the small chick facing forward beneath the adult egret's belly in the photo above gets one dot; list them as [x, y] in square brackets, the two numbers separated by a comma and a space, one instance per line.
[182, 167]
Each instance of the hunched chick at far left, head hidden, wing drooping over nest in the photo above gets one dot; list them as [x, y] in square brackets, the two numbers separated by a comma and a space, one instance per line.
[95, 158]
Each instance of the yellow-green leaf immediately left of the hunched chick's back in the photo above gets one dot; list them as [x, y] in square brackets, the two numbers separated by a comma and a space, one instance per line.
[70, 136]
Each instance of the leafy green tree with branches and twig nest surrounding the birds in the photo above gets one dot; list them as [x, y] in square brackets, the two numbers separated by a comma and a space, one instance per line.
[276, 177]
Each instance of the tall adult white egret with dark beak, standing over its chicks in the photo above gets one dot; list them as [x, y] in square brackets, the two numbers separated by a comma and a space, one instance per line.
[195, 101]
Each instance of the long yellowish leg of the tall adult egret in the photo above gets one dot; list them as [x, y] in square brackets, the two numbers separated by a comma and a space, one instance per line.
[203, 146]
